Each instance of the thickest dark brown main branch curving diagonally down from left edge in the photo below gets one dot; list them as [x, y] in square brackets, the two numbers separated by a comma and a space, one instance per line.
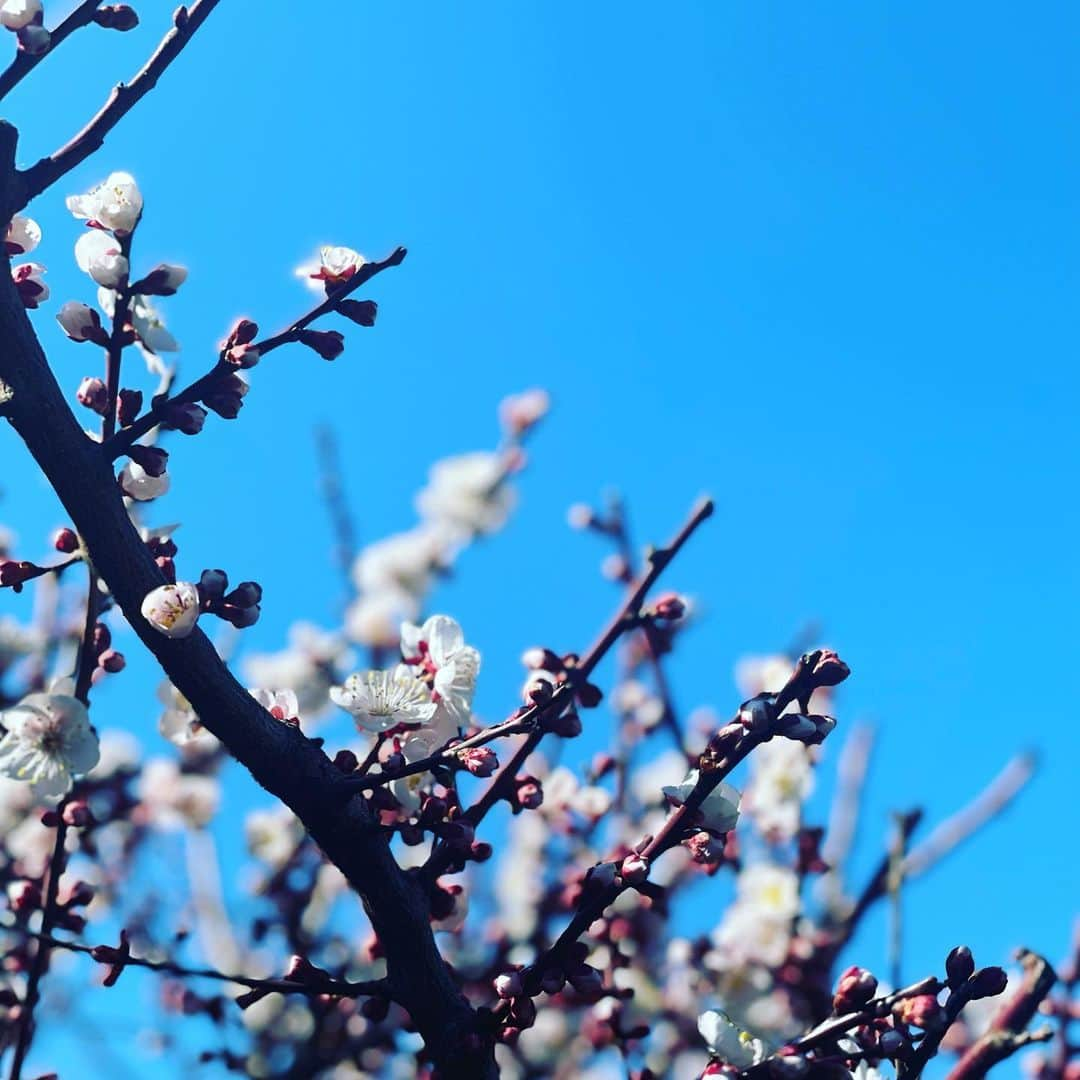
[286, 763]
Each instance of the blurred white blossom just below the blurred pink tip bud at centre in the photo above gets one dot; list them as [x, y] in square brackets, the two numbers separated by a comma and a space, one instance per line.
[468, 493]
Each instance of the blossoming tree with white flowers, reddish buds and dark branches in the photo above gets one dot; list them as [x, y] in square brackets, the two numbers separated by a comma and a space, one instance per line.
[544, 949]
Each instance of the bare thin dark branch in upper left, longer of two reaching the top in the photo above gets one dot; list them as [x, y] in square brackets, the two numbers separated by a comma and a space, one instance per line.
[32, 182]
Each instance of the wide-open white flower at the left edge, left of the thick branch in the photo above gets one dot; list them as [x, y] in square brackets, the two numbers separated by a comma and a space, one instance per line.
[49, 741]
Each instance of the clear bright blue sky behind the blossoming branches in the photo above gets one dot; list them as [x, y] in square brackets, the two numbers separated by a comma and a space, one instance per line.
[818, 261]
